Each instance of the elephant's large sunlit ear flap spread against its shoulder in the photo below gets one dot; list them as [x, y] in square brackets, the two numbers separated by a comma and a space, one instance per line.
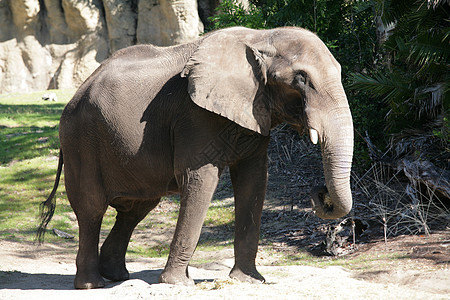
[224, 77]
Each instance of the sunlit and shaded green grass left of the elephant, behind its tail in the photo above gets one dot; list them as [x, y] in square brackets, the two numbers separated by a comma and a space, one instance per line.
[28, 160]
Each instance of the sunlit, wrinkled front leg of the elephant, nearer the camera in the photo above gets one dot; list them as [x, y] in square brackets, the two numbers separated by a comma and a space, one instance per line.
[197, 189]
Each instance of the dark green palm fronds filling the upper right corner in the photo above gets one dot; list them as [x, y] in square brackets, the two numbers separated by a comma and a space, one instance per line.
[412, 78]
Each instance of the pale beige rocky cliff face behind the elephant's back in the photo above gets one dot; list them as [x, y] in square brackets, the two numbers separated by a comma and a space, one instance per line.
[59, 43]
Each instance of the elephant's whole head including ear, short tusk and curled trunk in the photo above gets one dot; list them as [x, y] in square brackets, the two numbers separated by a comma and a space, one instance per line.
[261, 78]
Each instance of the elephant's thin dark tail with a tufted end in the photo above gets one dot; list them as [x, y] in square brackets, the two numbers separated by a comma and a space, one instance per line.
[47, 208]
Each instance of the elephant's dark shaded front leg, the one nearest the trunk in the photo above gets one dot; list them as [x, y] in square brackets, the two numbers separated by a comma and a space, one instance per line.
[249, 178]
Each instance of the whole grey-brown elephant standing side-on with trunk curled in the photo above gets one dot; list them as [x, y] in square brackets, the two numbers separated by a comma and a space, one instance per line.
[154, 121]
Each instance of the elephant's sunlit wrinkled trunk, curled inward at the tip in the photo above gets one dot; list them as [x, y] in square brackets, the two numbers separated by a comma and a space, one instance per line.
[335, 200]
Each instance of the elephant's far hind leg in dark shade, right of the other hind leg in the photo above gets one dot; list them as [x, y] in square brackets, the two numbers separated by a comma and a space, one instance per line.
[112, 253]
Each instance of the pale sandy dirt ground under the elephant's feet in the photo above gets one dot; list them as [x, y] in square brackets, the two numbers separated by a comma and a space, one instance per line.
[30, 271]
